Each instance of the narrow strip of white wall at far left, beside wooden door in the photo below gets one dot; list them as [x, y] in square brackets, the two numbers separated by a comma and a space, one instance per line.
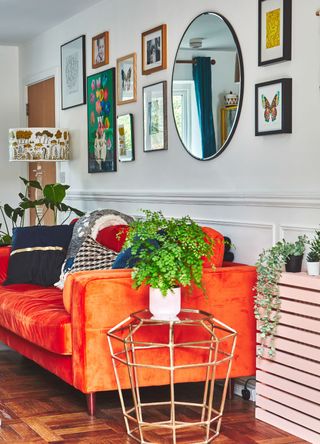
[9, 118]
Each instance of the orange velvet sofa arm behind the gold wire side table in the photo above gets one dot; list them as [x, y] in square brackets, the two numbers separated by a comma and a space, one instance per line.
[101, 299]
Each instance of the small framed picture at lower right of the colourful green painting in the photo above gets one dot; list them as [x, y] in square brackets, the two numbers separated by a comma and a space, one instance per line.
[125, 138]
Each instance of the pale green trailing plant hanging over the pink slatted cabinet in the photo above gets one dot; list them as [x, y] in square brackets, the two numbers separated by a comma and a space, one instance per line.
[267, 300]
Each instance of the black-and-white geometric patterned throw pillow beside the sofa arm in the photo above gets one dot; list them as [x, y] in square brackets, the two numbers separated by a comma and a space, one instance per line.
[93, 256]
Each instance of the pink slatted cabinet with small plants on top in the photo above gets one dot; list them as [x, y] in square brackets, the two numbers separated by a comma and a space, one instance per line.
[288, 386]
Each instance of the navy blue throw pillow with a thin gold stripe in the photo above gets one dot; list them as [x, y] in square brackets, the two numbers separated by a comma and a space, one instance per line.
[37, 254]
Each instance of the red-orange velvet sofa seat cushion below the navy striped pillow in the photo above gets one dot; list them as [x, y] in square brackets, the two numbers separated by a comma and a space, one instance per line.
[37, 314]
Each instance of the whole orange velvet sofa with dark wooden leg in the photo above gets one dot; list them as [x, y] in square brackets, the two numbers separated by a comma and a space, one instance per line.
[65, 331]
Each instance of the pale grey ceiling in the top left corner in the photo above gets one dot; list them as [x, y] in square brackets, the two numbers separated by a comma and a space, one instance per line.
[20, 20]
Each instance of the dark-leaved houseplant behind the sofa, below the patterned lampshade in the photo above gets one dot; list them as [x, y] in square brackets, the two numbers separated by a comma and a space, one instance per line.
[52, 199]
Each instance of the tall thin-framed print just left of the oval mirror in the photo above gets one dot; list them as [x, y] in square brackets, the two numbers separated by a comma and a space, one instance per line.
[155, 127]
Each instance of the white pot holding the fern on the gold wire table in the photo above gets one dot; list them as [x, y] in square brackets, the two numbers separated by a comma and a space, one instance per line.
[165, 308]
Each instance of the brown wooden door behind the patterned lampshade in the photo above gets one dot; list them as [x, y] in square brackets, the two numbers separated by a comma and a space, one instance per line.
[41, 113]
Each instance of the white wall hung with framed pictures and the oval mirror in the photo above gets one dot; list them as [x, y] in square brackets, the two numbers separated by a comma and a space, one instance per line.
[260, 188]
